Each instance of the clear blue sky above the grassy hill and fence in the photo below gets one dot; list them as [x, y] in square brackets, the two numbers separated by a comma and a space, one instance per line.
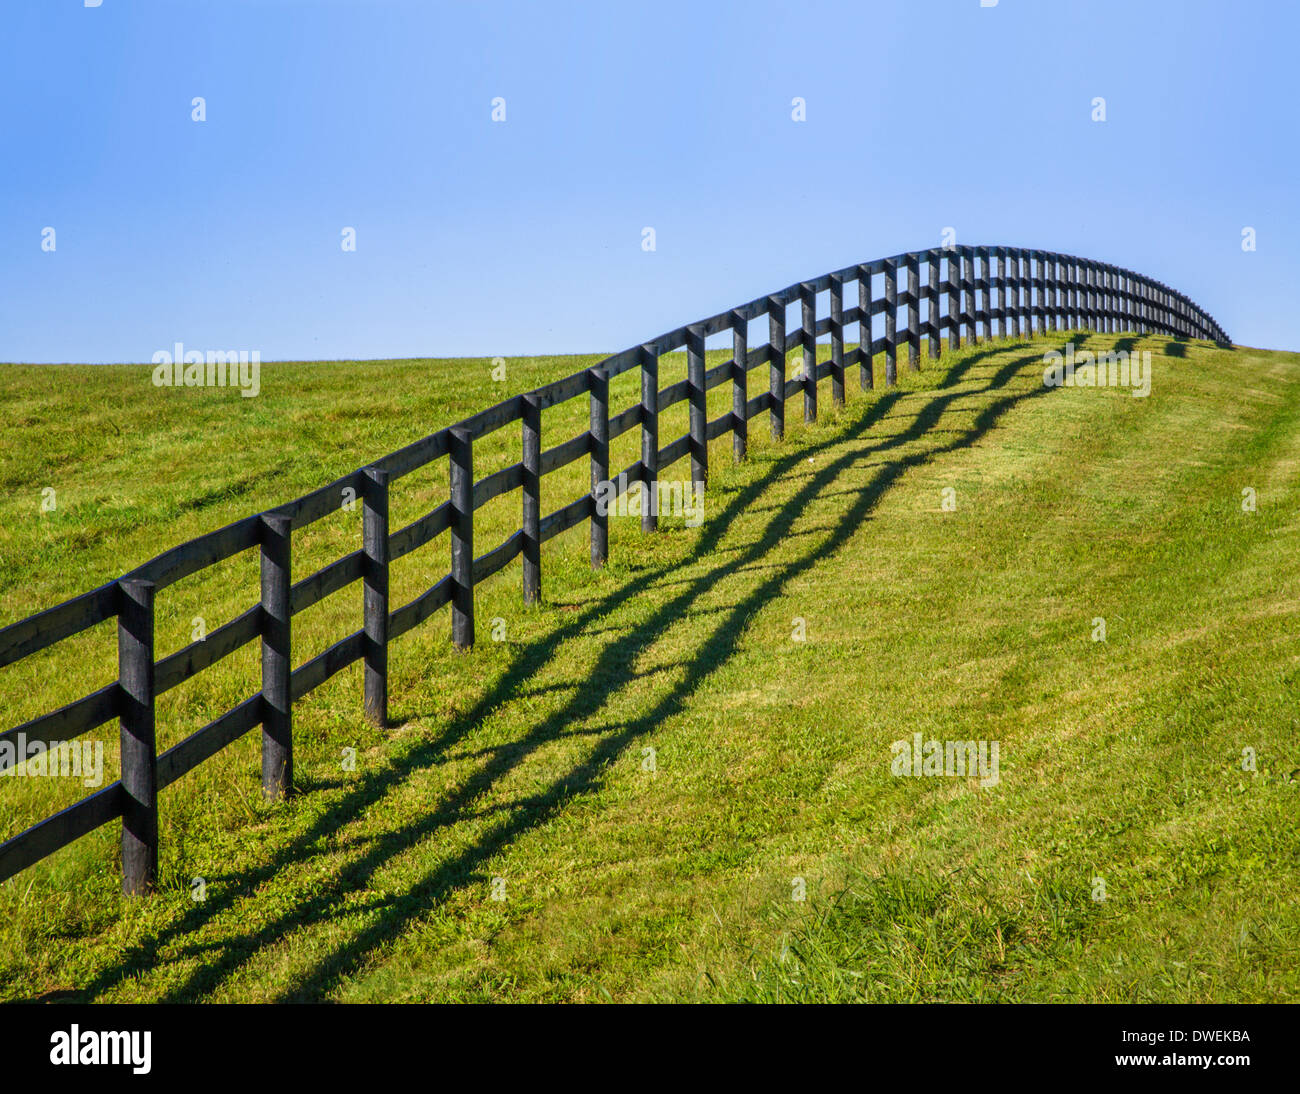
[480, 238]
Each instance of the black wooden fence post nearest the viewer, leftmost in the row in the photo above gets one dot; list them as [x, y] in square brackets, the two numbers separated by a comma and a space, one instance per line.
[138, 745]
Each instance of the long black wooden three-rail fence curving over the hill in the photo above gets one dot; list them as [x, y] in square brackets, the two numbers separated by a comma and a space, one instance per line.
[965, 292]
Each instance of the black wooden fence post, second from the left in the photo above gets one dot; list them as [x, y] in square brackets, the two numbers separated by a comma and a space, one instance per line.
[278, 713]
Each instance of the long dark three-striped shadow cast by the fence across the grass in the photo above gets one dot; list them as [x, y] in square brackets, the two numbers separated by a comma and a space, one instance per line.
[372, 788]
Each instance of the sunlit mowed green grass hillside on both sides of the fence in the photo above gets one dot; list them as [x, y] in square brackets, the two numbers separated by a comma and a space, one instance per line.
[627, 795]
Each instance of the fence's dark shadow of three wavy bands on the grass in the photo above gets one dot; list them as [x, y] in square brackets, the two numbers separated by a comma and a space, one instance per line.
[226, 958]
